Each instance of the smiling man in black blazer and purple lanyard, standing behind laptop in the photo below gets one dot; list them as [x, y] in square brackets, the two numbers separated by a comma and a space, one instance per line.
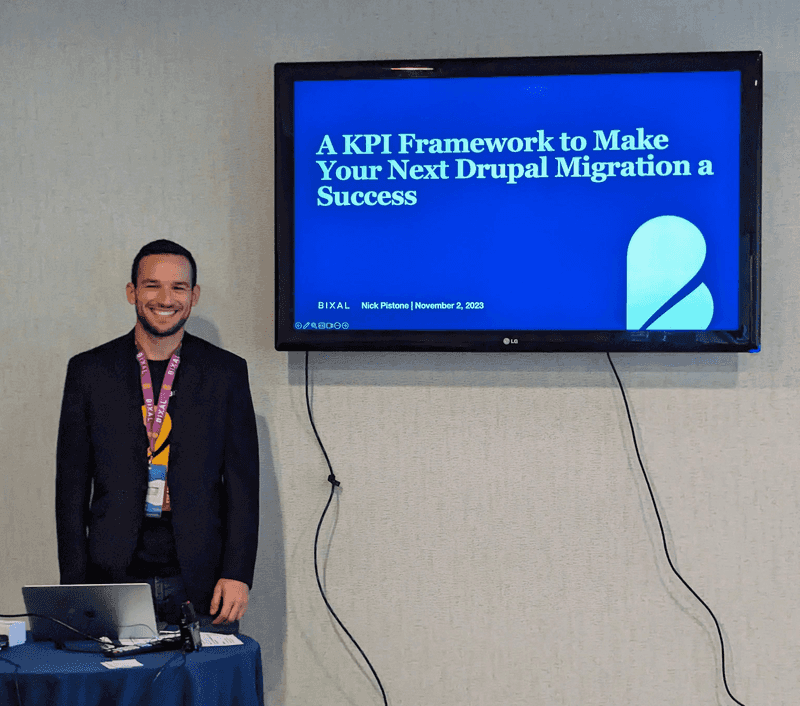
[157, 456]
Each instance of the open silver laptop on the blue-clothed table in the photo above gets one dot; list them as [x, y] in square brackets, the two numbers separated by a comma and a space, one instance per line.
[118, 610]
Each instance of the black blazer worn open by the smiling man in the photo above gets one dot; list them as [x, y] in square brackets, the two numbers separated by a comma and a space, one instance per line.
[101, 467]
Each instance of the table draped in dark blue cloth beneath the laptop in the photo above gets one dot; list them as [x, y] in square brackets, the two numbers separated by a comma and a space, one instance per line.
[36, 673]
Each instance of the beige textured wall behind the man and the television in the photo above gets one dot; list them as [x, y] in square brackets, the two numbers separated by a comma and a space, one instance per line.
[493, 542]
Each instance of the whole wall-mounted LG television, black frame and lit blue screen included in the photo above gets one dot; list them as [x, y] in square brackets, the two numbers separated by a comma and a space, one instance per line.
[583, 203]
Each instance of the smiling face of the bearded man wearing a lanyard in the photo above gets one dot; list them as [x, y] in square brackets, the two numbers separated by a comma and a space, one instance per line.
[163, 295]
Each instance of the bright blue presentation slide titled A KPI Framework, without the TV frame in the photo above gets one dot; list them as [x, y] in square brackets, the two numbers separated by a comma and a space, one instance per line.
[591, 202]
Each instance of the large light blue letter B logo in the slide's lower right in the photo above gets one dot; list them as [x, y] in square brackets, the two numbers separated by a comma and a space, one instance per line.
[664, 254]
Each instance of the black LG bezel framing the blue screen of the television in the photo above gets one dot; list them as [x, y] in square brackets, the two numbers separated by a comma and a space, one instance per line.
[745, 339]
